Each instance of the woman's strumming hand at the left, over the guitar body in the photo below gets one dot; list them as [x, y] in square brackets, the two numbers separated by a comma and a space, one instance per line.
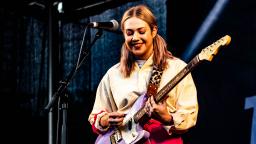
[112, 119]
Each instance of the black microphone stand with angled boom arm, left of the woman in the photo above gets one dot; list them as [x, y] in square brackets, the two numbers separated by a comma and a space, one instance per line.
[63, 86]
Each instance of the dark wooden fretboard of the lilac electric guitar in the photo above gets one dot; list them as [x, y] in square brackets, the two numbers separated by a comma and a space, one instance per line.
[162, 94]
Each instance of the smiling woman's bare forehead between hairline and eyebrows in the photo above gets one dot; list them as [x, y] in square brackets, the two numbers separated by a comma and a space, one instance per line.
[135, 23]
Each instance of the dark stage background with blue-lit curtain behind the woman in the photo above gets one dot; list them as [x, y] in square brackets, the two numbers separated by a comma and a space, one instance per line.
[39, 47]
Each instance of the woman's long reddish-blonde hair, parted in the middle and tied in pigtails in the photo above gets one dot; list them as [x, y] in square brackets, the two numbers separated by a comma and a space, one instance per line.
[161, 54]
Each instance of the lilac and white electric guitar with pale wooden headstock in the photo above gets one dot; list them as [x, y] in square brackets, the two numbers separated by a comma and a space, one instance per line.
[131, 132]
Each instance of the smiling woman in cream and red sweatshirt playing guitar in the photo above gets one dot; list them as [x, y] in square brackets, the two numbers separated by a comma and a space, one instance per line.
[128, 80]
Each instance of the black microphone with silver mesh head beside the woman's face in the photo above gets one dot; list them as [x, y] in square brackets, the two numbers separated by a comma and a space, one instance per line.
[112, 25]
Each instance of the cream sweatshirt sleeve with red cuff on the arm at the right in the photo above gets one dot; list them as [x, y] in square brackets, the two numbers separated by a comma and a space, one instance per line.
[182, 104]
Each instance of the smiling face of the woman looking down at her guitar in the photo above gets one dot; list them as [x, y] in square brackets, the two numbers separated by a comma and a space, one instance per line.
[139, 37]
